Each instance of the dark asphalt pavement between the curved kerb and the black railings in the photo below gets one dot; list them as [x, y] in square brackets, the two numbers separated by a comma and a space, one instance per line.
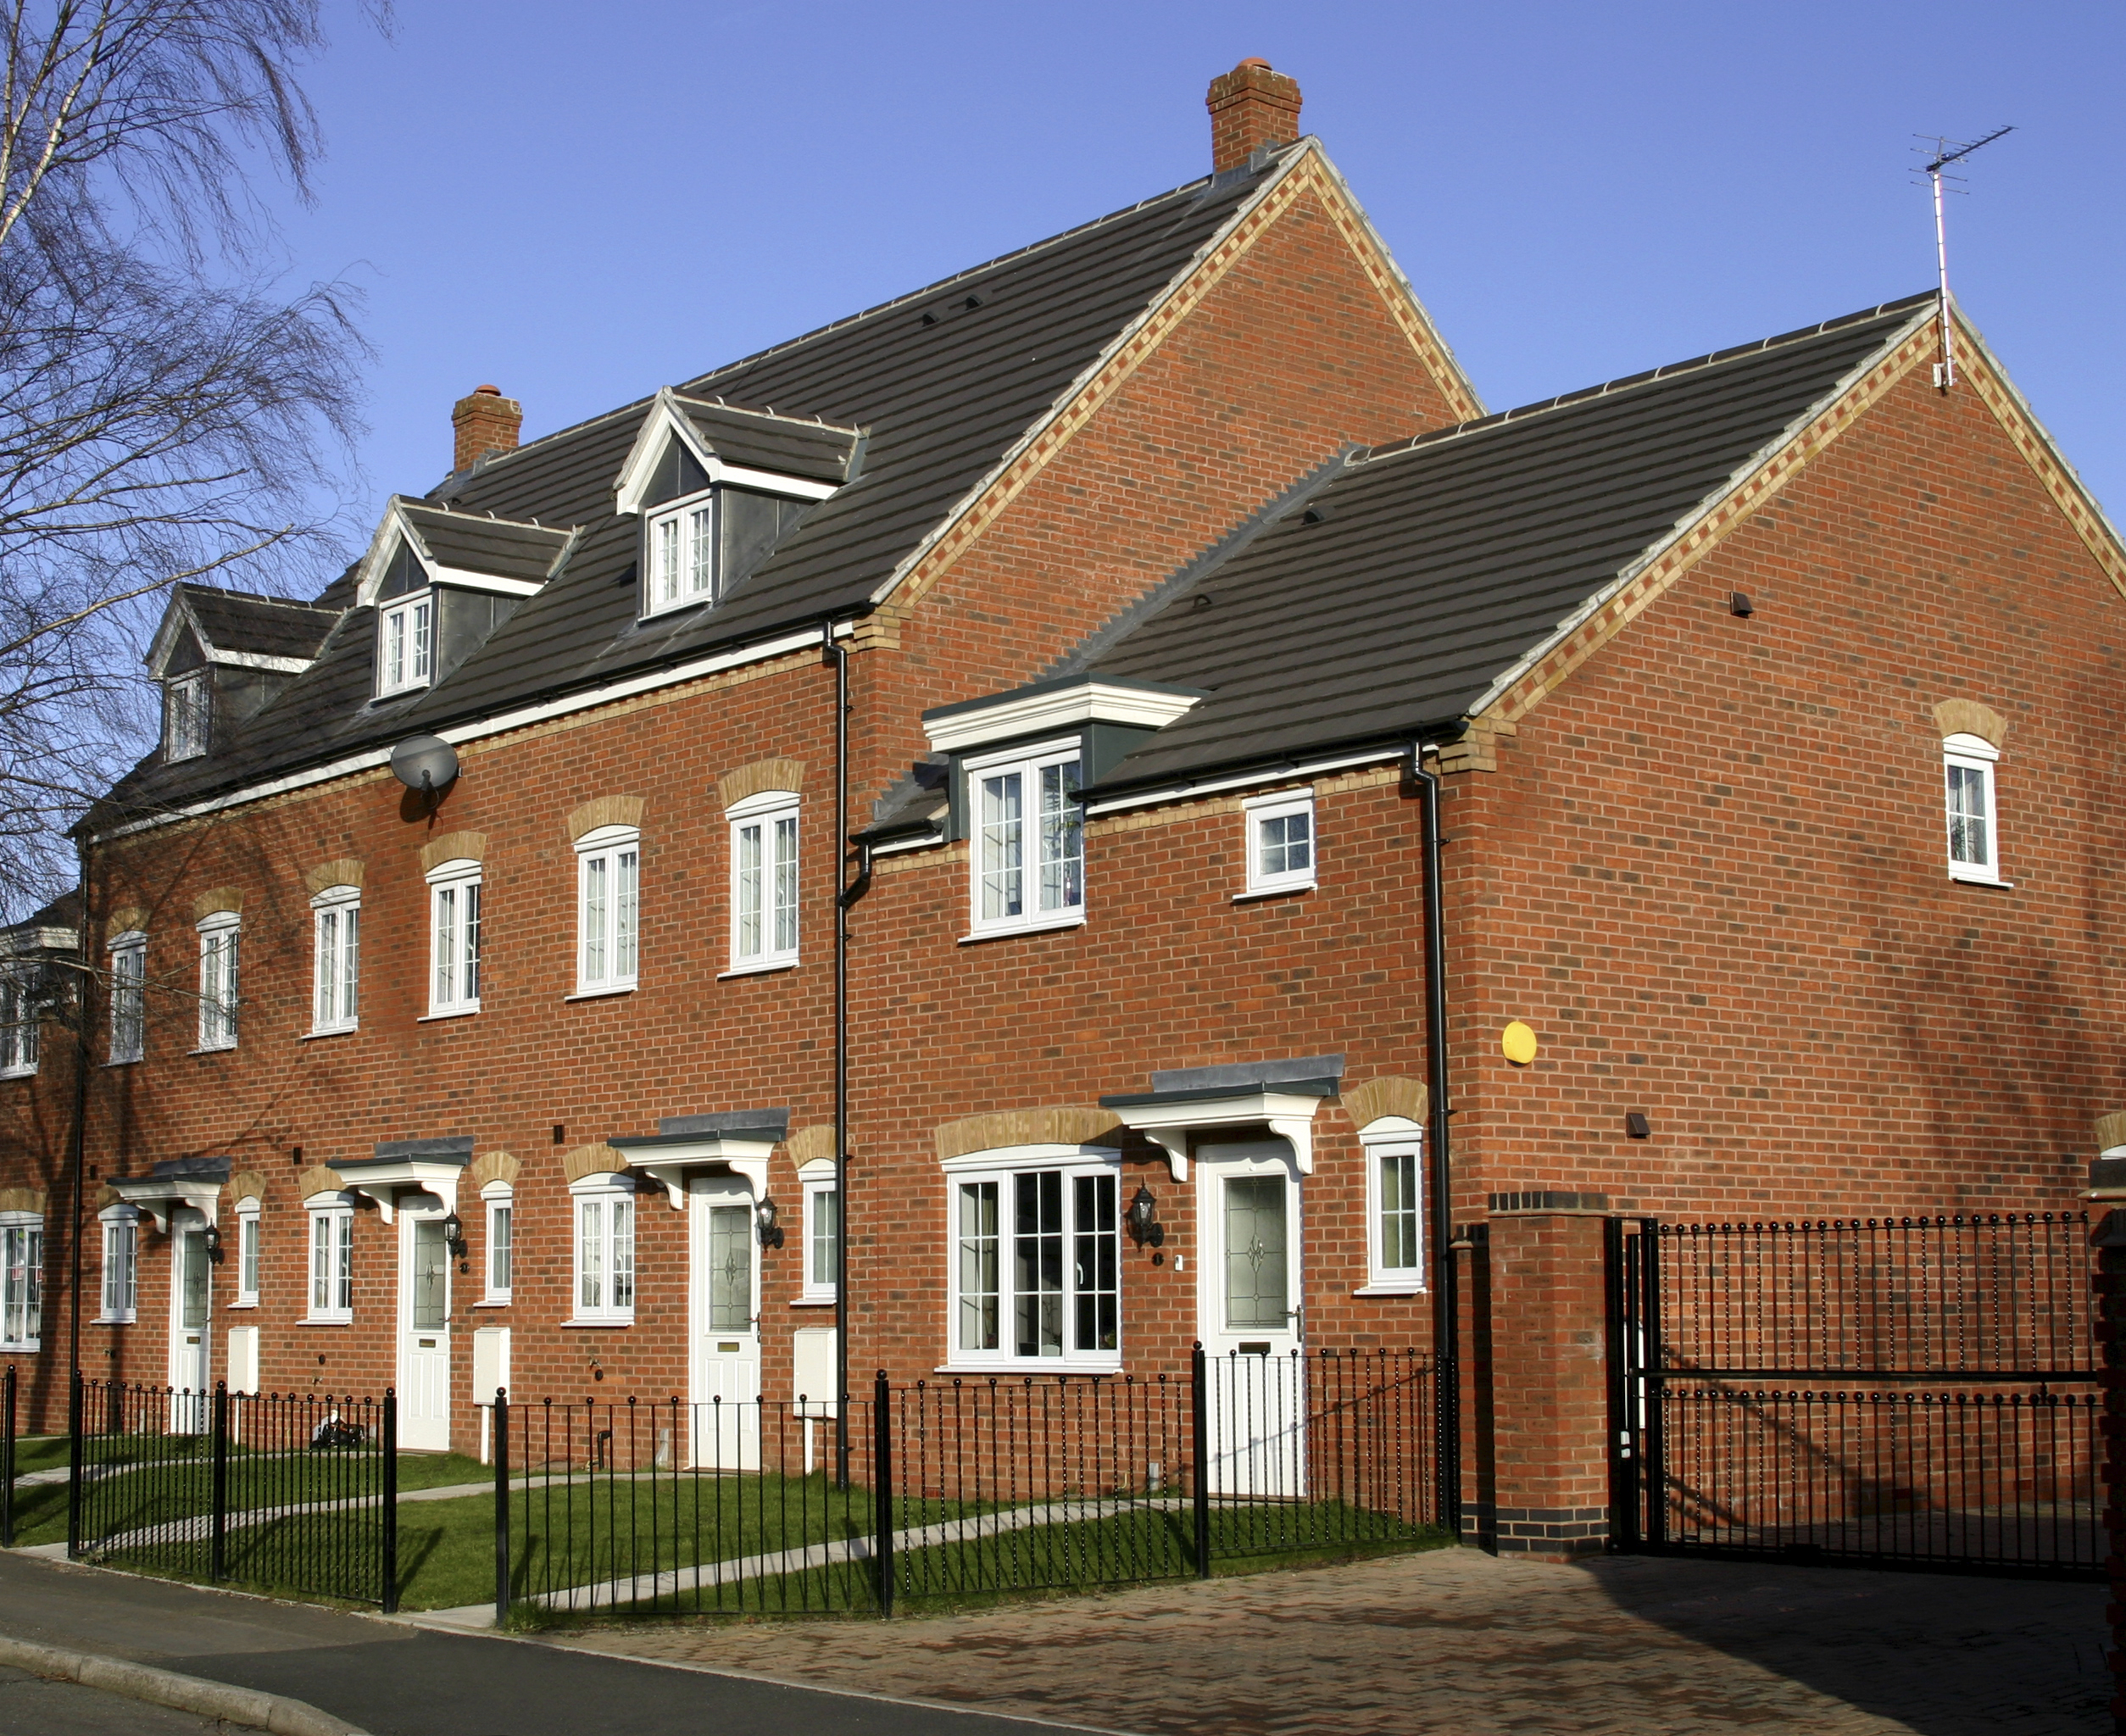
[405, 1682]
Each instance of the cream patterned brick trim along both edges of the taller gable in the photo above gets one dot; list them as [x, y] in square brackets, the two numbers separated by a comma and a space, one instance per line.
[1306, 175]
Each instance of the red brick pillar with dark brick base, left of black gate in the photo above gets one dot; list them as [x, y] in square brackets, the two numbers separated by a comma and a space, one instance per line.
[1549, 1401]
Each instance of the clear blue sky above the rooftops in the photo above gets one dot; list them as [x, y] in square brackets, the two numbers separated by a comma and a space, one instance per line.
[586, 203]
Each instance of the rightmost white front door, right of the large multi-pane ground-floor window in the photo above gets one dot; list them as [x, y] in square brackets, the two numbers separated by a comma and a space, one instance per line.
[1249, 1318]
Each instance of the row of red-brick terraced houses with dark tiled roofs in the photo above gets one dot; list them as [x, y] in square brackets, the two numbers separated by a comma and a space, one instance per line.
[1011, 821]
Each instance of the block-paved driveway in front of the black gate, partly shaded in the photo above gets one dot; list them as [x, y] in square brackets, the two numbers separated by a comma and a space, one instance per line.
[1457, 1641]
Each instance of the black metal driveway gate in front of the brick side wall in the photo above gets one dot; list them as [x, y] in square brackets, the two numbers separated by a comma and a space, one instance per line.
[1917, 1393]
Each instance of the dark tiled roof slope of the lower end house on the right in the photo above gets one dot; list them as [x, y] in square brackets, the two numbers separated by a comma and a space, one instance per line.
[1436, 564]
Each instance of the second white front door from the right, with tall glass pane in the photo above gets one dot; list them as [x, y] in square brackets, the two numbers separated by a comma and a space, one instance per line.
[726, 1325]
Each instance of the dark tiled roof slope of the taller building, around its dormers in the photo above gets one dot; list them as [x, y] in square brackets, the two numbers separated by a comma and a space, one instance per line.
[941, 390]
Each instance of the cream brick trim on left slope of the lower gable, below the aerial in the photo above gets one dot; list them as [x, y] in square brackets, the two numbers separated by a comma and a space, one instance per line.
[1689, 545]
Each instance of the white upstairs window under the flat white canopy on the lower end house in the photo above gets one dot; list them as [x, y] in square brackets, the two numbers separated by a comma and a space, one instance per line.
[1028, 840]
